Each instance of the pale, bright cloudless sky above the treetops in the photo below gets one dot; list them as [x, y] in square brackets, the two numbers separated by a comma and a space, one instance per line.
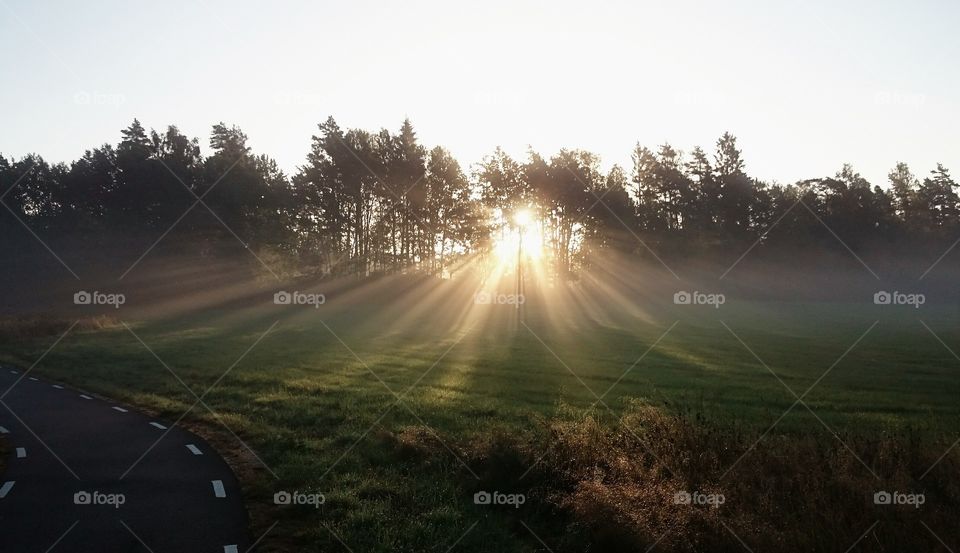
[805, 86]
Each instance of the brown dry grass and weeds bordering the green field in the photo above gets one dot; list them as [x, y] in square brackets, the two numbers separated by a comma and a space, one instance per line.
[604, 487]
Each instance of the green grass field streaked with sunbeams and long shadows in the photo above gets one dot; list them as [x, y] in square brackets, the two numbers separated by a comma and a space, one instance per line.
[341, 399]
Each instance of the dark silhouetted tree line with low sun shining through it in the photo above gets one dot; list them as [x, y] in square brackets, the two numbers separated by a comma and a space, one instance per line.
[372, 202]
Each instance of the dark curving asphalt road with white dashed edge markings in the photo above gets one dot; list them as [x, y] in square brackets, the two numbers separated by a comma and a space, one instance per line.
[90, 475]
